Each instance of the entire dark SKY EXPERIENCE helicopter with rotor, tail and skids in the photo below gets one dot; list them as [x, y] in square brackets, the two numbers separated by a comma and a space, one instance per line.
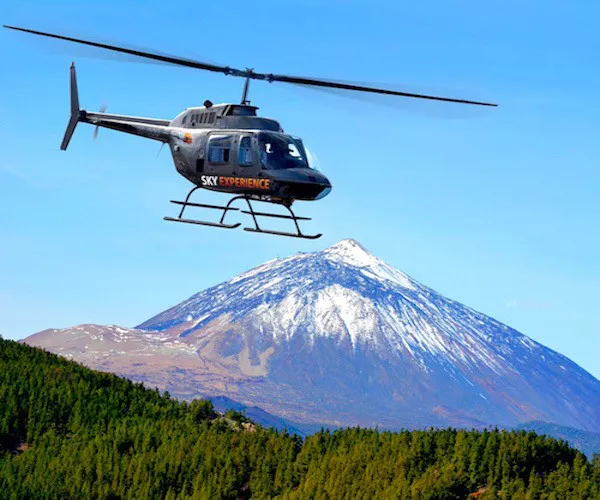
[227, 147]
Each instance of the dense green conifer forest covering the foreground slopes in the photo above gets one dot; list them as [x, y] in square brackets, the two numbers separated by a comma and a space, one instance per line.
[70, 432]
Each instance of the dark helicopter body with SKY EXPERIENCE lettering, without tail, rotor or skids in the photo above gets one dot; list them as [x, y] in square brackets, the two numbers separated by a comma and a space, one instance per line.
[228, 148]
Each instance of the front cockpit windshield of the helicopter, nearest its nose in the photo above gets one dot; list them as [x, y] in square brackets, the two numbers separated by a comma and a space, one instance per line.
[279, 151]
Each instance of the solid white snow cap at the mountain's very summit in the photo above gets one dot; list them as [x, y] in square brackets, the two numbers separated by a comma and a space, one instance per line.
[352, 253]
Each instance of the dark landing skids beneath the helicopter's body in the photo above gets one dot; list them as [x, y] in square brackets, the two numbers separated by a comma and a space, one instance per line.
[228, 208]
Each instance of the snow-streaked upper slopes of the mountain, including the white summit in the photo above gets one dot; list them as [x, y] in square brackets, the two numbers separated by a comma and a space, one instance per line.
[344, 292]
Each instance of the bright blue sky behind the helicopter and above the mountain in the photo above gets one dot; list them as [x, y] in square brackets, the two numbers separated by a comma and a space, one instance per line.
[498, 210]
